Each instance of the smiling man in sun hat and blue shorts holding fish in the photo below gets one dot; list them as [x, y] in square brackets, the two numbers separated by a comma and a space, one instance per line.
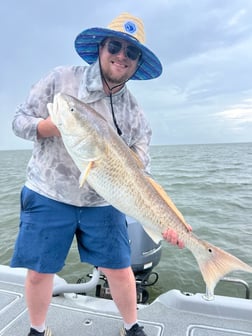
[53, 207]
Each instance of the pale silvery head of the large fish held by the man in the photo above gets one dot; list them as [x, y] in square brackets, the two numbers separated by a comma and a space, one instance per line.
[78, 124]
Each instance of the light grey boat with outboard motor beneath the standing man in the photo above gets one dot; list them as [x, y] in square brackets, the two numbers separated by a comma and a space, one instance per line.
[86, 308]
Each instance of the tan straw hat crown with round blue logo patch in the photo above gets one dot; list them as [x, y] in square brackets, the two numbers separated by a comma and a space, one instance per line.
[129, 24]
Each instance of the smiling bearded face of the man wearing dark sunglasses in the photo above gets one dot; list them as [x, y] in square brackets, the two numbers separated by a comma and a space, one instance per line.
[119, 60]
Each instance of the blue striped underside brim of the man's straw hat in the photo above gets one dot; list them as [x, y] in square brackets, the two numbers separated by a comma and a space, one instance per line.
[87, 46]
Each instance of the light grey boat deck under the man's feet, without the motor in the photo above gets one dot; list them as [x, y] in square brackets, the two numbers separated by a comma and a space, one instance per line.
[171, 314]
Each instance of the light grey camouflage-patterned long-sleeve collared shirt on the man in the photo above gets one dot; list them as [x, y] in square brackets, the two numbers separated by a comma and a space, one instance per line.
[51, 171]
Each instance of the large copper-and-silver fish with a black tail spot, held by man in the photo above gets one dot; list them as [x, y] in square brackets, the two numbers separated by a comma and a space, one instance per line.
[116, 174]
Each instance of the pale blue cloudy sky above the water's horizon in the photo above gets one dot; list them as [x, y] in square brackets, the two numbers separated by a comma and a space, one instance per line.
[204, 94]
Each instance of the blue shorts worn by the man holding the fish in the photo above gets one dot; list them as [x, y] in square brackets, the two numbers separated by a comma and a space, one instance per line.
[47, 229]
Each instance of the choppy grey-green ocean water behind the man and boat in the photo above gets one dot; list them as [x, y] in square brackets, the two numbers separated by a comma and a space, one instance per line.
[210, 184]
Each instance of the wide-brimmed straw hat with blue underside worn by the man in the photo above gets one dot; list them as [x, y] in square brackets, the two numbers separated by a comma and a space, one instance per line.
[128, 28]
